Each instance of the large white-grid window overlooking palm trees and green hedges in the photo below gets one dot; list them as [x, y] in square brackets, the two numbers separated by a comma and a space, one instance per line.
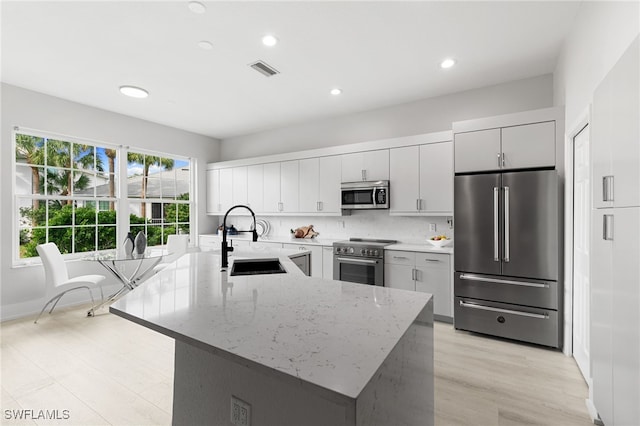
[68, 191]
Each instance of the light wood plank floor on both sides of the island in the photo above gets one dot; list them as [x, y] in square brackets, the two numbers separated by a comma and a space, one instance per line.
[106, 370]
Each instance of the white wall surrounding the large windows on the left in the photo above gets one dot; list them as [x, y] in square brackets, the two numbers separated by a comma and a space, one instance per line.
[22, 289]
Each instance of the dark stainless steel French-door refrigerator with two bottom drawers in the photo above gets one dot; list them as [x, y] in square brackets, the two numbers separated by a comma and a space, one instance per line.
[506, 255]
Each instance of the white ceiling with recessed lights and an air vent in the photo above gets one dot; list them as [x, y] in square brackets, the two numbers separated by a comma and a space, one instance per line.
[380, 53]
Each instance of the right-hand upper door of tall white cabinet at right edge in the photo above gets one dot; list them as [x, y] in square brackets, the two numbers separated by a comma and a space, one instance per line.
[624, 139]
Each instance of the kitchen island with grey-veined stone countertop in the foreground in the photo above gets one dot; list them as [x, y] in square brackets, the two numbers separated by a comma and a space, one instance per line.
[286, 349]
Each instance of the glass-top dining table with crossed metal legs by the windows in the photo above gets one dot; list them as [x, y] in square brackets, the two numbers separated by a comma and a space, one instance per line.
[130, 270]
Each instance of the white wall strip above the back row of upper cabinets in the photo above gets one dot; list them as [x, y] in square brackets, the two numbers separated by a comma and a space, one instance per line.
[425, 116]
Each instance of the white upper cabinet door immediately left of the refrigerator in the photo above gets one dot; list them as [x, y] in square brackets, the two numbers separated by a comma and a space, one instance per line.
[436, 178]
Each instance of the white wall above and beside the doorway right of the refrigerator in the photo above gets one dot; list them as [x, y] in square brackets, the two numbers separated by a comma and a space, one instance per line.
[600, 34]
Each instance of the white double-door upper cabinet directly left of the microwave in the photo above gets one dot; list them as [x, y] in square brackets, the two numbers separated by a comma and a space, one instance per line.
[320, 185]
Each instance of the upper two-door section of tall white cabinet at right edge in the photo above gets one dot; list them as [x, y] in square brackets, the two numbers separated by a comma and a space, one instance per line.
[616, 135]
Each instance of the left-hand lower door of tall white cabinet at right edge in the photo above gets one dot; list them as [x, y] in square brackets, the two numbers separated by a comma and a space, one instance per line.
[601, 259]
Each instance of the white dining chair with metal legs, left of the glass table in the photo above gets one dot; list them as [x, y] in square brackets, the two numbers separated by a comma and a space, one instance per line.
[57, 279]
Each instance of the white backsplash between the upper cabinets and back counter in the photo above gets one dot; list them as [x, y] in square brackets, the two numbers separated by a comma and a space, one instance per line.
[361, 224]
